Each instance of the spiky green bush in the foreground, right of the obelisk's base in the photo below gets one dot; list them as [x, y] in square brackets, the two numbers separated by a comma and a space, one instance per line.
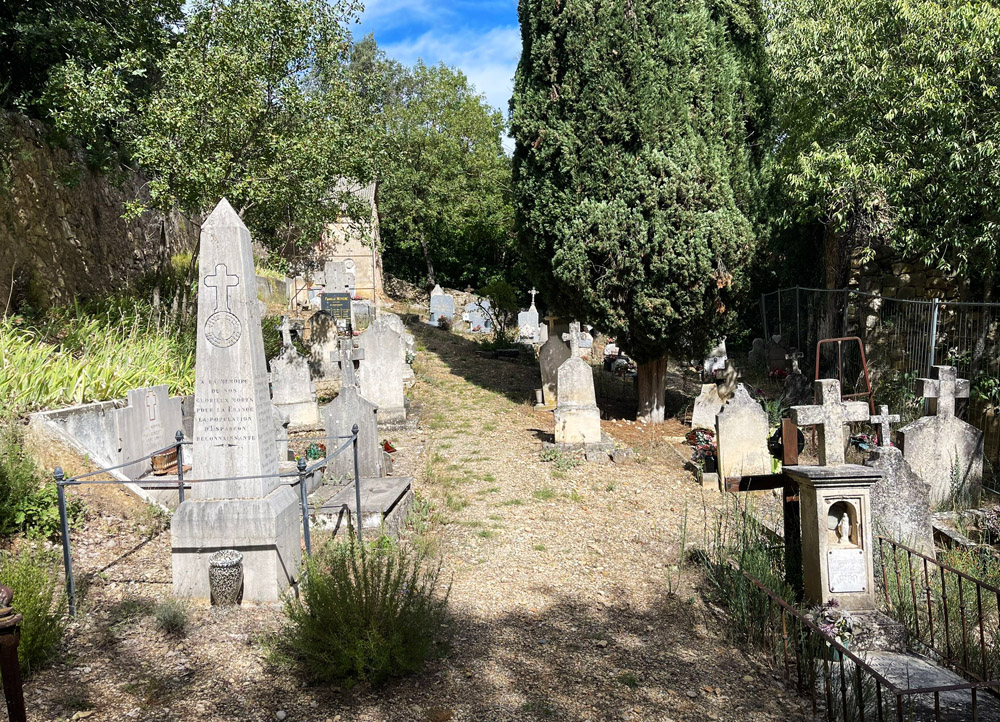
[365, 613]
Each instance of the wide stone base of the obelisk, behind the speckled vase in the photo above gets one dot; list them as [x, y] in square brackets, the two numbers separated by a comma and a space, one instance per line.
[266, 531]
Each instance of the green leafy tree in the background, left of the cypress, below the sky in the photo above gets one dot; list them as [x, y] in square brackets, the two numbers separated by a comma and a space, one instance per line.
[444, 191]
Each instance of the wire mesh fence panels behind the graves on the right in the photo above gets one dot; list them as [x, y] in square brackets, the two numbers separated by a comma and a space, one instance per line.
[902, 339]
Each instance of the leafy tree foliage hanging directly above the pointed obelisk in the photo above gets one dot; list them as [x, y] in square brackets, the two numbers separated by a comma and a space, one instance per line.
[250, 104]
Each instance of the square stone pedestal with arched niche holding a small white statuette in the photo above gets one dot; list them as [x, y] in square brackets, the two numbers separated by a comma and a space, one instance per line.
[837, 561]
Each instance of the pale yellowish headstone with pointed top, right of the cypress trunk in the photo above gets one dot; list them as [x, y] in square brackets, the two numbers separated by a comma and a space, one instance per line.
[741, 437]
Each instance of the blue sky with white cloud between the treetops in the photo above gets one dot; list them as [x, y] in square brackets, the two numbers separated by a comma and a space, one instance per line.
[480, 37]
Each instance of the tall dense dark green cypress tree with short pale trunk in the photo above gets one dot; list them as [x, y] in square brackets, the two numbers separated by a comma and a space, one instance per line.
[637, 131]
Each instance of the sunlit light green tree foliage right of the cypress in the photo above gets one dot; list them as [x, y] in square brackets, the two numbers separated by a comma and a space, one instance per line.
[890, 129]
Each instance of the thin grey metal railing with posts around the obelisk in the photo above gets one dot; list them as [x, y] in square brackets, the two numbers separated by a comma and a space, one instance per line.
[299, 476]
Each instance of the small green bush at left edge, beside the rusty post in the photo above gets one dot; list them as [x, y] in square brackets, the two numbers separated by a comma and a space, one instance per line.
[32, 574]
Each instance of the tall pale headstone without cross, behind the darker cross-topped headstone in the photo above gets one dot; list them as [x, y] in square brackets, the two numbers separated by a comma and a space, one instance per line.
[380, 375]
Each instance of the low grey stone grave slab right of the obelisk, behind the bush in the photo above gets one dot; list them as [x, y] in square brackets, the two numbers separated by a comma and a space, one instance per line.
[385, 504]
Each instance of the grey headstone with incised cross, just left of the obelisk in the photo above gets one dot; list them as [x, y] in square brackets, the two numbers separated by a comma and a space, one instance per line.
[147, 424]
